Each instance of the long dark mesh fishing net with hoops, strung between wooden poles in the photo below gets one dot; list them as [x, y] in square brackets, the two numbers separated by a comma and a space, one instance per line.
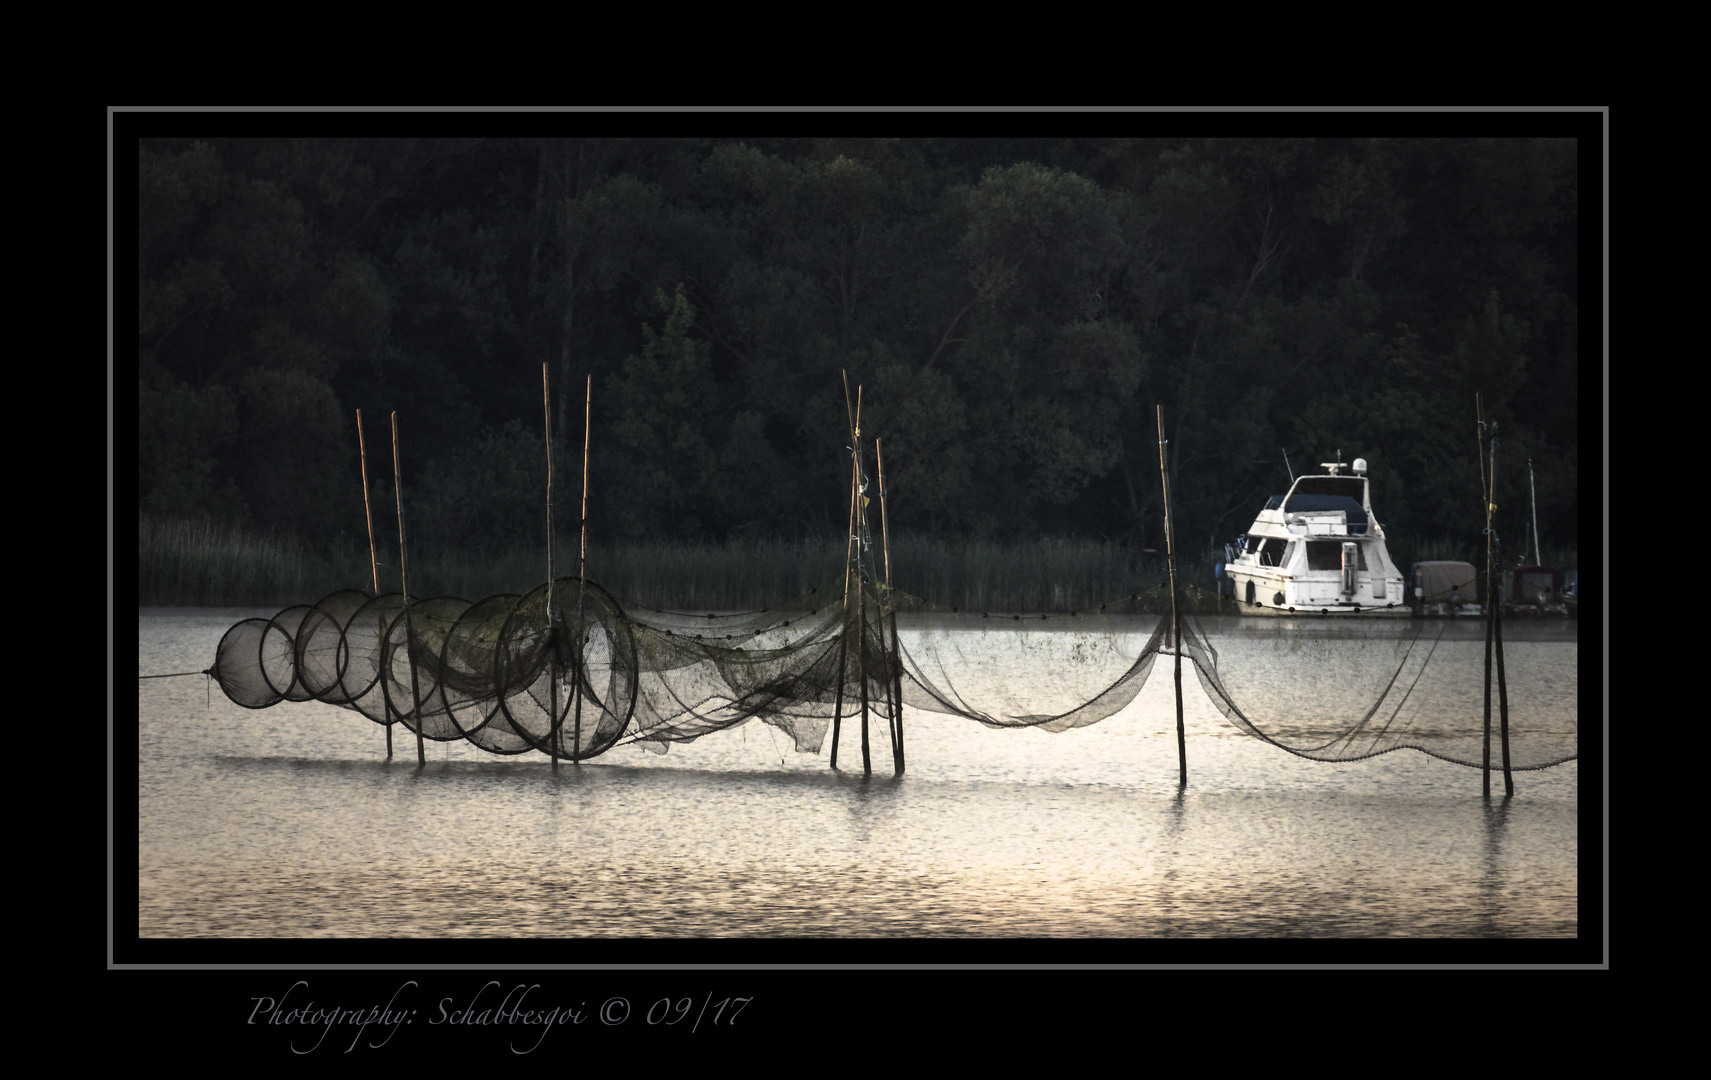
[569, 672]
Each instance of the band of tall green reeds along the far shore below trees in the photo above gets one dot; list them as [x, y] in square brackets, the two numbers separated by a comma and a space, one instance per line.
[201, 564]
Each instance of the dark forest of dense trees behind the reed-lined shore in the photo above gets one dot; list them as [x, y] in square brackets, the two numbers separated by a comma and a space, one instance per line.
[1014, 311]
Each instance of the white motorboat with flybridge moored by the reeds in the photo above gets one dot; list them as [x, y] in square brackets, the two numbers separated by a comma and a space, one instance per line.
[1318, 550]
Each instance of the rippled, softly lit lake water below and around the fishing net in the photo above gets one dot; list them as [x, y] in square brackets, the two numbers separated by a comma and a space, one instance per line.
[292, 822]
